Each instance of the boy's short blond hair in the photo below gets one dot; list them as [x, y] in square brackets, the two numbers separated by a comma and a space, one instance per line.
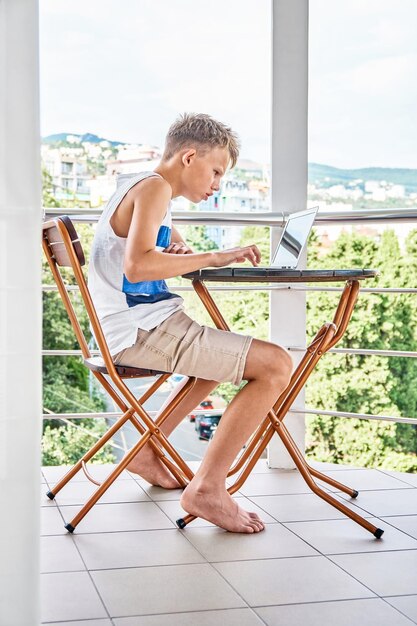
[200, 131]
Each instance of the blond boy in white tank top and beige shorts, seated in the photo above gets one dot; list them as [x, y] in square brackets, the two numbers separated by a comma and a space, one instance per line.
[135, 248]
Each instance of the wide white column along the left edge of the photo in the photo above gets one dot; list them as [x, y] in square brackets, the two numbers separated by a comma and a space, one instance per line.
[20, 313]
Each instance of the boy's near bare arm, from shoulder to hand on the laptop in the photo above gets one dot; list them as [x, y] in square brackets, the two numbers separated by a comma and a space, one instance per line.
[143, 262]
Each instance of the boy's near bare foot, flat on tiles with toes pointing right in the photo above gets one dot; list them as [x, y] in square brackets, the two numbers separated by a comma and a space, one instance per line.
[217, 506]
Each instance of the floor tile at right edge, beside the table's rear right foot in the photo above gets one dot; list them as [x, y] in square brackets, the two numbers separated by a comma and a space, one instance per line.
[385, 503]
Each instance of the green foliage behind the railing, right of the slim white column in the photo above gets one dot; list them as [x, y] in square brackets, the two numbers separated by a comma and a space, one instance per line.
[366, 384]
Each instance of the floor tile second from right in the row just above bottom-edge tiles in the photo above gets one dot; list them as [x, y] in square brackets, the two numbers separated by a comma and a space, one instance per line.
[288, 581]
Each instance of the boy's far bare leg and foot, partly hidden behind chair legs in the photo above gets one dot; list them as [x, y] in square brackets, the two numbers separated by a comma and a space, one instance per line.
[146, 463]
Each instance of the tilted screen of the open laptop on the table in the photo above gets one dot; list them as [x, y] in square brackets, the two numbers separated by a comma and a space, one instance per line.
[294, 238]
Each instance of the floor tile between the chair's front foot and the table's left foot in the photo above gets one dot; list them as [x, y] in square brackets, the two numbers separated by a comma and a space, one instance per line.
[119, 517]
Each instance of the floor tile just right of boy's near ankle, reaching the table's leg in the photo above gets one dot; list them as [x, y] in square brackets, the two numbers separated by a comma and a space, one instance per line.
[273, 484]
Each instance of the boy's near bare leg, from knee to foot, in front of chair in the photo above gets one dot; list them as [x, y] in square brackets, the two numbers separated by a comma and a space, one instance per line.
[268, 370]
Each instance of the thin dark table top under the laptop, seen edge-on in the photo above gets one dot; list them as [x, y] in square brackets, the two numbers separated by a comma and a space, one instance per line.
[273, 275]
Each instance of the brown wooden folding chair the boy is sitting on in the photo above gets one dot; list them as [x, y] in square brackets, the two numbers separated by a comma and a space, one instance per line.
[63, 248]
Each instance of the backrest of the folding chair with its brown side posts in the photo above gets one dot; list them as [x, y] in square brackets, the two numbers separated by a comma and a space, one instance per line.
[63, 248]
